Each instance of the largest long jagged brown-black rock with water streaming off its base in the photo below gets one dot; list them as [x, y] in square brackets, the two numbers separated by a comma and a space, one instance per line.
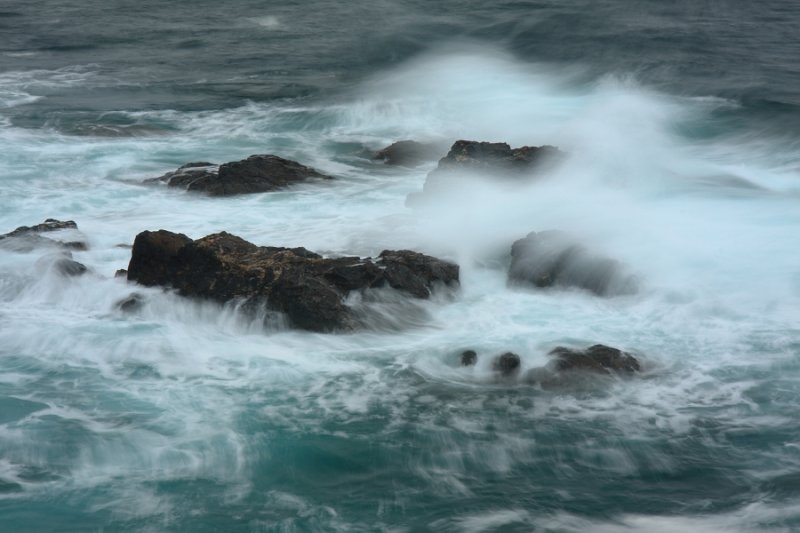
[307, 287]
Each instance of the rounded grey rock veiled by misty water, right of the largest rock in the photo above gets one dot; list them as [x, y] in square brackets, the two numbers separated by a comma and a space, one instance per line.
[551, 258]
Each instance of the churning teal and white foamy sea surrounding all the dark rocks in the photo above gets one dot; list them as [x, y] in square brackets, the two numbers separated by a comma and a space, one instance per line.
[680, 128]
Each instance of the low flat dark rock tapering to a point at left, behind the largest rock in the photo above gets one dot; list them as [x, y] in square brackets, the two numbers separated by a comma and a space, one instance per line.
[257, 173]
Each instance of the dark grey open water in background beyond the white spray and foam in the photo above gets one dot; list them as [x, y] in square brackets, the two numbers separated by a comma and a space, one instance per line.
[157, 55]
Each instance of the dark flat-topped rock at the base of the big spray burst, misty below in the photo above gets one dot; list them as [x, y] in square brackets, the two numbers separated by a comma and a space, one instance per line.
[498, 160]
